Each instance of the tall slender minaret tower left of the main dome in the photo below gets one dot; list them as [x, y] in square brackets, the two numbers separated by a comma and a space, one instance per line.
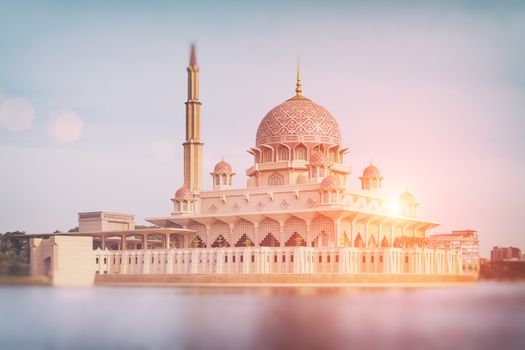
[193, 144]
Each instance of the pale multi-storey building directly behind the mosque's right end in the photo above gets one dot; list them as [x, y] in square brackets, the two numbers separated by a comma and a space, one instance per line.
[466, 240]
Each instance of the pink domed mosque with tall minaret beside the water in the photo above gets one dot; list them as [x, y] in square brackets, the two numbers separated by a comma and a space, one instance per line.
[296, 215]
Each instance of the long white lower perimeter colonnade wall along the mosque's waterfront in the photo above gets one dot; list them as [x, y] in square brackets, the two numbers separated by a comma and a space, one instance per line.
[279, 260]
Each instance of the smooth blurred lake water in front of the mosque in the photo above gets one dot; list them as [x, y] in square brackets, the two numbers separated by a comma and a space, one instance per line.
[482, 316]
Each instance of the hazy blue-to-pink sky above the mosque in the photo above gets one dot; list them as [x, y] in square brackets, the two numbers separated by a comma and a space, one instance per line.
[92, 101]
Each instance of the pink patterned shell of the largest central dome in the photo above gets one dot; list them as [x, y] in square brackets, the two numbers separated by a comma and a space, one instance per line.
[298, 119]
